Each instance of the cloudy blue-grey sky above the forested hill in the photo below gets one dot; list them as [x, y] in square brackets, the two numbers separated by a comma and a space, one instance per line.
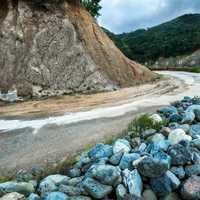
[127, 15]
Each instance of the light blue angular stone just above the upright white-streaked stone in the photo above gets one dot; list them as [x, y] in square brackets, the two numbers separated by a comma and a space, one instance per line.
[127, 160]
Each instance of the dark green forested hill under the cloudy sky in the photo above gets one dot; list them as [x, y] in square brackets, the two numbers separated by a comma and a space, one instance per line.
[178, 37]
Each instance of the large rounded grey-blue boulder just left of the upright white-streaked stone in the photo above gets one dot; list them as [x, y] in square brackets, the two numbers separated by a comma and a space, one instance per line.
[107, 174]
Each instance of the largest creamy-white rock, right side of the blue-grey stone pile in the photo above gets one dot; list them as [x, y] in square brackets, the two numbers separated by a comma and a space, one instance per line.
[177, 135]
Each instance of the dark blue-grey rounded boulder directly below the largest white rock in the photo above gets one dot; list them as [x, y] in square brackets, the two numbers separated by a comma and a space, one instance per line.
[180, 155]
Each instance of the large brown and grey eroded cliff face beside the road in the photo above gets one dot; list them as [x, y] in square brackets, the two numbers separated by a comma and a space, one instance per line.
[55, 47]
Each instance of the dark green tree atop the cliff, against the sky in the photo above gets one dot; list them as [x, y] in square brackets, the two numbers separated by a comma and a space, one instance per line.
[93, 6]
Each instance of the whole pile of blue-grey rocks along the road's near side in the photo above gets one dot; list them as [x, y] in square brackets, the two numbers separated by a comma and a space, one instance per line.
[162, 164]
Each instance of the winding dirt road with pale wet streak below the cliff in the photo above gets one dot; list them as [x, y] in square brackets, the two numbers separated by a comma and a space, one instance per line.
[40, 132]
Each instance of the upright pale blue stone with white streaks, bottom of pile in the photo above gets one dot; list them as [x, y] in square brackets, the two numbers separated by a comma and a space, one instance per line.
[134, 183]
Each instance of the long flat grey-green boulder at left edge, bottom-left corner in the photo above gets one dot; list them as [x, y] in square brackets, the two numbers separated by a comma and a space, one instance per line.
[22, 188]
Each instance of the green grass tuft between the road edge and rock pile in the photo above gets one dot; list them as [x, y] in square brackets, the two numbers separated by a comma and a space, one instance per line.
[142, 123]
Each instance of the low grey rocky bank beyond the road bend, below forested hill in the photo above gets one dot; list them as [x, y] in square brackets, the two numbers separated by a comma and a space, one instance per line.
[192, 60]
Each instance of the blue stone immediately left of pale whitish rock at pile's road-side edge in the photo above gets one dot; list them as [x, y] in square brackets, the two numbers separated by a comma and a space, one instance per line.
[101, 151]
